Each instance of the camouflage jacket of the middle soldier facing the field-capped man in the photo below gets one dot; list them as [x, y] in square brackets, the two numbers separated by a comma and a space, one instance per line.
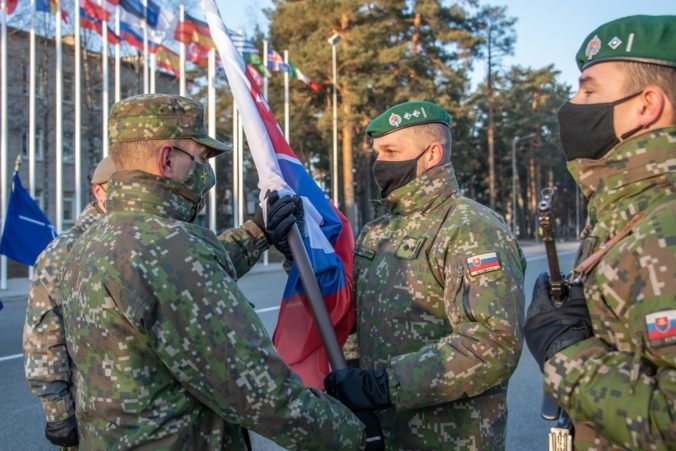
[440, 304]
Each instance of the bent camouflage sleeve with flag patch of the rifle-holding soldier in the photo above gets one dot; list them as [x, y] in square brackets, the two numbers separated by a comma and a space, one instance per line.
[628, 394]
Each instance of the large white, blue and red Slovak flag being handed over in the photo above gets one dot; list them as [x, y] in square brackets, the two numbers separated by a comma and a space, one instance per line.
[327, 236]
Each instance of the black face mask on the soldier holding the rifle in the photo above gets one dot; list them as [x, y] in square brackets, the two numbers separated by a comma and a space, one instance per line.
[587, 130]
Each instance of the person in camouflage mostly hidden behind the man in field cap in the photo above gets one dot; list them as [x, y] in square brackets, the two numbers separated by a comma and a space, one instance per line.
[46, 362]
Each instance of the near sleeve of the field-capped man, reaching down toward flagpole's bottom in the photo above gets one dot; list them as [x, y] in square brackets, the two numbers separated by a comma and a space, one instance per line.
[215, 345]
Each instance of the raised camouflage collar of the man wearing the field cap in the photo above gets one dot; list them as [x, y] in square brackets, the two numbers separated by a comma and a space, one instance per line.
[153, 194]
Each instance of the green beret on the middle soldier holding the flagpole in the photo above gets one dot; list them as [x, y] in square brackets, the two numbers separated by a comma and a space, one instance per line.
[407, 114]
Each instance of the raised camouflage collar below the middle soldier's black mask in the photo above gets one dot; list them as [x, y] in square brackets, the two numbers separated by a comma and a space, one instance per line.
[423, 192]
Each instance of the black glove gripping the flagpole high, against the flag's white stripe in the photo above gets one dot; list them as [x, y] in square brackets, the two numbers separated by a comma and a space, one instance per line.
[281, 214]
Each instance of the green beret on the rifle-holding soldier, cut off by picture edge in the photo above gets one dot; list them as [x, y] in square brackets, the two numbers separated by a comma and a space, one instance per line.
[644, 39]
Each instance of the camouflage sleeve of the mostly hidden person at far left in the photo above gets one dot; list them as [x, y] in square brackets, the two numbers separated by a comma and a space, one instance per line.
[46, 362]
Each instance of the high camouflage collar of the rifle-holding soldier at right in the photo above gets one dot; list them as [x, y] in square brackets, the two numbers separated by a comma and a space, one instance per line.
[629, 177]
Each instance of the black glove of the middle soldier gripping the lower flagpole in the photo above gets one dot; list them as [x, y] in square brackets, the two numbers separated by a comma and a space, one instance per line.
[359, 389]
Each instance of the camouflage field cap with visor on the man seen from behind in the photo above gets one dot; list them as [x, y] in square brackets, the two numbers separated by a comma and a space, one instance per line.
[158, 117]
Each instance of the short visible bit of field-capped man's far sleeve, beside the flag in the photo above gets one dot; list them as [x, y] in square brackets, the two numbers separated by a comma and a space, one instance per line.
[244, 246]
